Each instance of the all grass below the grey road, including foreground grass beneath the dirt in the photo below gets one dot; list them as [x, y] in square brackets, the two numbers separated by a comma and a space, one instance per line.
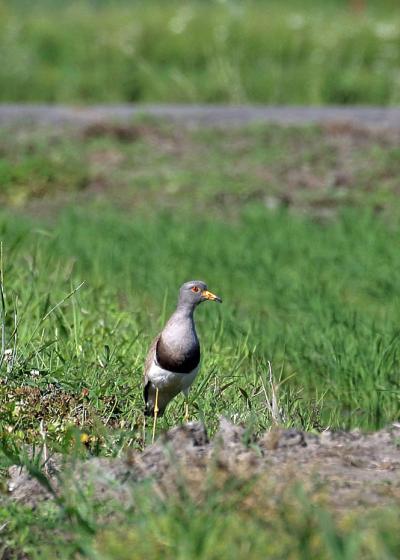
[296, 234]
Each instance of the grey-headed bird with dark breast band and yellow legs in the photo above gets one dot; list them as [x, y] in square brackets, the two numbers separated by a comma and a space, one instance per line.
[173, 360]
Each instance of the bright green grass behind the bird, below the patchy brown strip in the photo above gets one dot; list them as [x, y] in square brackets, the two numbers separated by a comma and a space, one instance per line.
[318, 301]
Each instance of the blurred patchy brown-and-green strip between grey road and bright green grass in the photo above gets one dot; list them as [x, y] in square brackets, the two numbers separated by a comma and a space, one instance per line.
[145, 165]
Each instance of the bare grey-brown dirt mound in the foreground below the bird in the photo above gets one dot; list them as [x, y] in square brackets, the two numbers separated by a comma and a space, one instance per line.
[345, 470]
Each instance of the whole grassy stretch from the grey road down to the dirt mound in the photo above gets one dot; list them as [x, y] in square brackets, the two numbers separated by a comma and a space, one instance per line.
[315, 294]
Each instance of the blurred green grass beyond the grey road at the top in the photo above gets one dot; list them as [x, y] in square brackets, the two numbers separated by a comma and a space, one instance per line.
[309, 52]
